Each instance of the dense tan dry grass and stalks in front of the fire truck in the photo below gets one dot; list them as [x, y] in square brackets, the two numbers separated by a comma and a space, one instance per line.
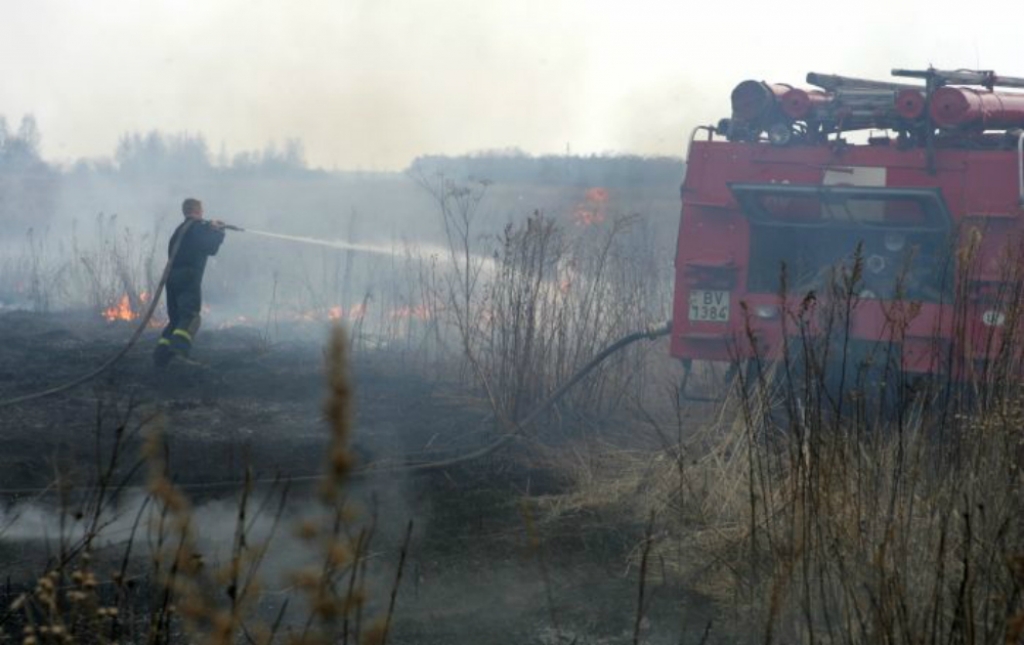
[829, 506]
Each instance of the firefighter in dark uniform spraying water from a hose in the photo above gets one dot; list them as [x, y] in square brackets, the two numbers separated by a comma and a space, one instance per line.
[199, 240]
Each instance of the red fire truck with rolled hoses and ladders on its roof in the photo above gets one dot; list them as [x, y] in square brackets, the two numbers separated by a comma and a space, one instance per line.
[910, 195]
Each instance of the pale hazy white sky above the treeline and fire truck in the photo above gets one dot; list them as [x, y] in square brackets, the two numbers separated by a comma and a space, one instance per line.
[370, 84]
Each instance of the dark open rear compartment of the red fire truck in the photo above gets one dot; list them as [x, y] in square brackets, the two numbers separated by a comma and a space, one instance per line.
[814, 234]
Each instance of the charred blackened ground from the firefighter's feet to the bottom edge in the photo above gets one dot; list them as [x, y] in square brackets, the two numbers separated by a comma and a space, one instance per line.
[488, 561]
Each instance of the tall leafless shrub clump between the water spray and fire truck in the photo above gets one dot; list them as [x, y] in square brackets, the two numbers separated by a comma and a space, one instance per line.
[534, 306]
